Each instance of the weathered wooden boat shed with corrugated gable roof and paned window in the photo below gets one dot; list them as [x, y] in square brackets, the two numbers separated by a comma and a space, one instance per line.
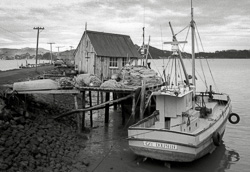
[103, 54]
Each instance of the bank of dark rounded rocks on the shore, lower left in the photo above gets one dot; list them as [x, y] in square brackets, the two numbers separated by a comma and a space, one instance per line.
[32, 141]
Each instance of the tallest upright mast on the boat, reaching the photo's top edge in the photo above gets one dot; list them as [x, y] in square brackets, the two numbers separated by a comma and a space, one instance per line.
[193, 47]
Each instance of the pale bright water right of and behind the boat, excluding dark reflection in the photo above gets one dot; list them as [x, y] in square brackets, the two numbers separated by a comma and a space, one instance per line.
[232, 77]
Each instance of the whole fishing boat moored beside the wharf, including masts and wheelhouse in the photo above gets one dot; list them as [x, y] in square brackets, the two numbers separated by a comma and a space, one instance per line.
[186, 124]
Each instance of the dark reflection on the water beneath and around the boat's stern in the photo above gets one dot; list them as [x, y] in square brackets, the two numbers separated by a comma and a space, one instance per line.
[109, 150]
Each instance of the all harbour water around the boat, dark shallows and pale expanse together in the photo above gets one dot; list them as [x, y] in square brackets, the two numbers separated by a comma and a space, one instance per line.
[108, 150]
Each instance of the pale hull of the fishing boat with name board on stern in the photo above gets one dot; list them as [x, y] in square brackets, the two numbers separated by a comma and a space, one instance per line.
[168, 146]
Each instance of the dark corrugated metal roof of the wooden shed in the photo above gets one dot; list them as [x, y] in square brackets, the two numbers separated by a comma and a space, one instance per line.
[112, 45]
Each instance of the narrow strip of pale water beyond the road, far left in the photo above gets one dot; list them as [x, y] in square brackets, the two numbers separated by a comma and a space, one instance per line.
[14, 64]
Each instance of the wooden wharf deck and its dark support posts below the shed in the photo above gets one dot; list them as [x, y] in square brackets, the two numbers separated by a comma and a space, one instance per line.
[125, 93]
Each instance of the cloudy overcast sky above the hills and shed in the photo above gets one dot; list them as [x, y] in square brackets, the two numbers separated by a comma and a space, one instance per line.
[221, 24]
